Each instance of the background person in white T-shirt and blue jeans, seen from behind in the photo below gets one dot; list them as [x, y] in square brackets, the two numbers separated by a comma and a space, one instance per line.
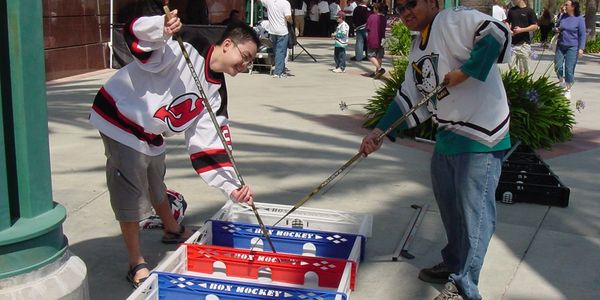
[279, 13]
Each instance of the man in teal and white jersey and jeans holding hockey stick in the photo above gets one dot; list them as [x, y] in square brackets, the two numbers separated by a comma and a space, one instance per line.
[459, 47]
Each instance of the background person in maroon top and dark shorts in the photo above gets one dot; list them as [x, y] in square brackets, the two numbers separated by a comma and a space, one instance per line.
[375, 35]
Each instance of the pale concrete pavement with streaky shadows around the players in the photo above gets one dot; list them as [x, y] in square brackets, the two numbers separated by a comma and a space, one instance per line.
[289, 135]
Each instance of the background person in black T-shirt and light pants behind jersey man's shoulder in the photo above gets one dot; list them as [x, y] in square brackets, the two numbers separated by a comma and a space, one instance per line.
[521, 20]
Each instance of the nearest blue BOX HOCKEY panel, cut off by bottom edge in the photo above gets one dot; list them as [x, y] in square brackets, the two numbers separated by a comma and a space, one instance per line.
[162, 285]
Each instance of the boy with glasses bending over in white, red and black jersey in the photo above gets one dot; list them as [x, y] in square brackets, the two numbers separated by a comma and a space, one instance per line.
[155, 96]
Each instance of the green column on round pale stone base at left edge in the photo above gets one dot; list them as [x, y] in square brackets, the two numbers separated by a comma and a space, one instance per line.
[30, 222]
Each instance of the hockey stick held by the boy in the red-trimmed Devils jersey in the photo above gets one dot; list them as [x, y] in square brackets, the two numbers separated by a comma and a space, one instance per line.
[213, 118]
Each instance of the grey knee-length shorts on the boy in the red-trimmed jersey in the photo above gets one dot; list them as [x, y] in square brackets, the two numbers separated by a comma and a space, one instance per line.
[135, 180]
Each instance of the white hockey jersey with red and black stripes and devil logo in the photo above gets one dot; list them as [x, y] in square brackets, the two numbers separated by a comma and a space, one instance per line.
[155, 96]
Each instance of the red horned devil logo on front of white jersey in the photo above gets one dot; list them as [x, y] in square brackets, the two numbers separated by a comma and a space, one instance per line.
[181, 112]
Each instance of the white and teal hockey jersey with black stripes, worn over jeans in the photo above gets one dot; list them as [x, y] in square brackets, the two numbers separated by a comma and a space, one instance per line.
[474, 115]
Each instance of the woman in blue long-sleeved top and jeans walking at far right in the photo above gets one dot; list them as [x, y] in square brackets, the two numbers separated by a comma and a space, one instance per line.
[570, 45]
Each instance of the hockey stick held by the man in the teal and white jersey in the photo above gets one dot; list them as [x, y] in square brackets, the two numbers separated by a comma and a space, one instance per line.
[359, 155]
